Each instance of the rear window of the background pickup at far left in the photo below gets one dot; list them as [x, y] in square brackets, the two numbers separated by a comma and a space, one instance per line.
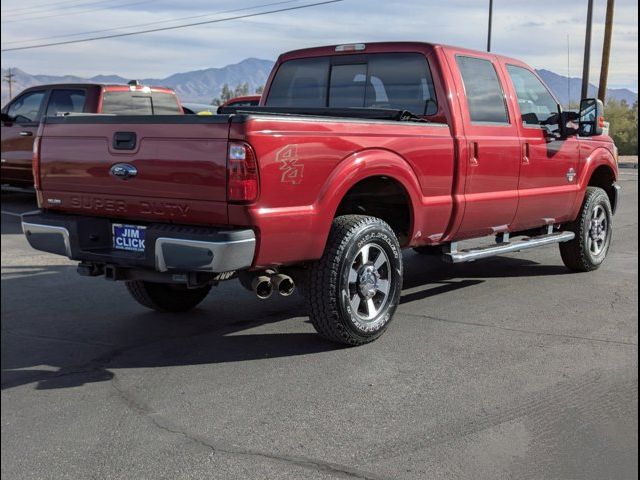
[139, 103]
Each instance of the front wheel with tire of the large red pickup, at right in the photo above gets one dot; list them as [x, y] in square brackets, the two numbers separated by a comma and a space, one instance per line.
[593, 229]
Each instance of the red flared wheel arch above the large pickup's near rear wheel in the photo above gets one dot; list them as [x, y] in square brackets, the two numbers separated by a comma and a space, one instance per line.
[356, 167]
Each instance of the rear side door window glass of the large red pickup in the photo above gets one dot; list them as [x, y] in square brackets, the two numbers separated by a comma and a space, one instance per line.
[485, 97]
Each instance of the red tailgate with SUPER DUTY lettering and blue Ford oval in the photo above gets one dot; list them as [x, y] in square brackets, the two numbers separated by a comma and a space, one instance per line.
[176, 167]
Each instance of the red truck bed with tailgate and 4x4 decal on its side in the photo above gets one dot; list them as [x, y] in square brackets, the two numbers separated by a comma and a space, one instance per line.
[182, 170]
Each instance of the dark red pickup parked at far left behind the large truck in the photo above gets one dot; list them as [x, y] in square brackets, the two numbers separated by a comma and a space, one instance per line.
[21, 116]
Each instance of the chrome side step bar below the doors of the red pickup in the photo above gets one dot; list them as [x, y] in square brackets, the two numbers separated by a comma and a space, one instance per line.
[453, 255]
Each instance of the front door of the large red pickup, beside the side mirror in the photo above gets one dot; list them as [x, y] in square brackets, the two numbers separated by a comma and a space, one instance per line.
[548, 178]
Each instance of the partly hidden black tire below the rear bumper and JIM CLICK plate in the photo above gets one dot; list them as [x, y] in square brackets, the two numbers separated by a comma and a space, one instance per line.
[165, 297]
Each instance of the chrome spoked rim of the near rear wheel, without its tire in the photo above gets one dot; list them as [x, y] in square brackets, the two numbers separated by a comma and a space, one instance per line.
[369, 282]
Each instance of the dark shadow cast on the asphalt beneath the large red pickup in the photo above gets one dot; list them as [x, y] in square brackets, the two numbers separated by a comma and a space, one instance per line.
[84, 337]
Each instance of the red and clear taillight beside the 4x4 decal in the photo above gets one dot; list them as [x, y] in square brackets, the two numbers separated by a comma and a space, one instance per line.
[242, 173]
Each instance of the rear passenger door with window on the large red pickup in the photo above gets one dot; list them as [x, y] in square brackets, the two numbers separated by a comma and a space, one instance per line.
[491, 152]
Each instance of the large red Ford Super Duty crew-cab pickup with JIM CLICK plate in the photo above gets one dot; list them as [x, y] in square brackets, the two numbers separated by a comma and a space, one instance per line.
[355, 152]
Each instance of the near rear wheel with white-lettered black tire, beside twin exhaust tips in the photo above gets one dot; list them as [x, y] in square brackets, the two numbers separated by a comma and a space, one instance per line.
[354, 289]
